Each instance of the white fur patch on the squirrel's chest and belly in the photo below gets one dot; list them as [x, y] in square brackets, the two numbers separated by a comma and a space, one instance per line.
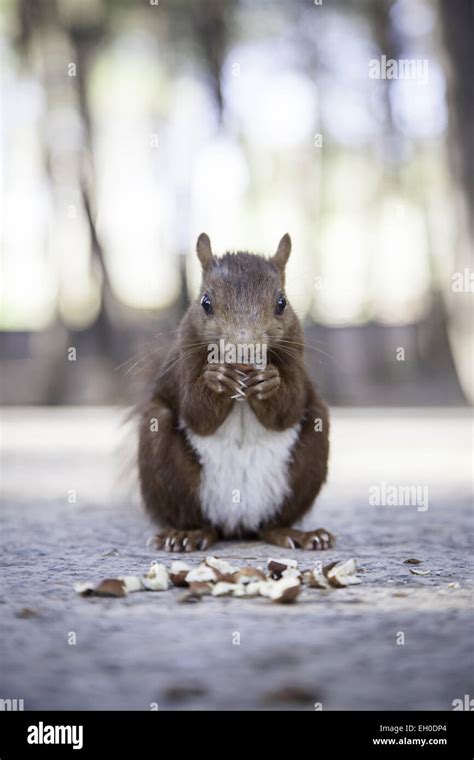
[244, 476]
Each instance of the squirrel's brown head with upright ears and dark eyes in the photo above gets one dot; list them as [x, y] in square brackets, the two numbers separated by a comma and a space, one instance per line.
[242, 297]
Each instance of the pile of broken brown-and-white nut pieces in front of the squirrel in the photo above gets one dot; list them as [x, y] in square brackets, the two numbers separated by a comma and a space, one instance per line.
[282, 581]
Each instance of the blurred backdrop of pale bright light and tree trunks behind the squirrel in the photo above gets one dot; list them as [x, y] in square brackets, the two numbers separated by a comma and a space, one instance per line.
[130, 127]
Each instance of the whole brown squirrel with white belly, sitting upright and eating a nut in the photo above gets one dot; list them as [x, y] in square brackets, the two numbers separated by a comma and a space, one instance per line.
[234, 448]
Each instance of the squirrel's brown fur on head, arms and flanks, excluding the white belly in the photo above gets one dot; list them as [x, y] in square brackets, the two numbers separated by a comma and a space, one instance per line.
[243, 288]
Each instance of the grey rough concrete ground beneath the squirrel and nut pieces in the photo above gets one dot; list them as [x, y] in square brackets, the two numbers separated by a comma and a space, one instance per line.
[339, 649]
